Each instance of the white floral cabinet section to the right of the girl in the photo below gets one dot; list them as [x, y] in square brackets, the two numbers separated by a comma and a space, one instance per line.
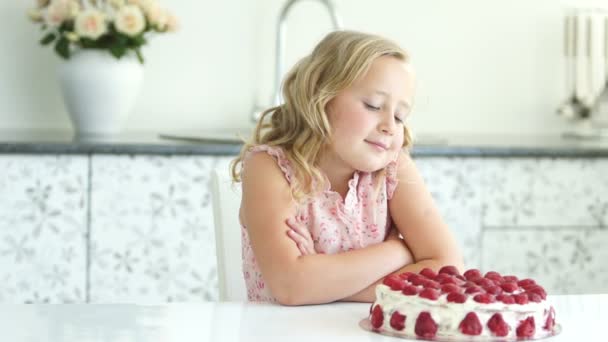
[545, 218]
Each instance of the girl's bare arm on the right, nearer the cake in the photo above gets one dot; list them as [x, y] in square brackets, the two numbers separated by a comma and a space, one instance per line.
[415, 214]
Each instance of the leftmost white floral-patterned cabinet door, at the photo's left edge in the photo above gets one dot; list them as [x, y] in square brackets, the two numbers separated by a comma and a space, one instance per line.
[43, 220]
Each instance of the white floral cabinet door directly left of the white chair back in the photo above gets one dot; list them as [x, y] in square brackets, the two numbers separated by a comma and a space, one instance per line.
[152, 235]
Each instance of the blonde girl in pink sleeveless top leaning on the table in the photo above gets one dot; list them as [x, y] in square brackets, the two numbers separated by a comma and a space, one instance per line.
[327, 176]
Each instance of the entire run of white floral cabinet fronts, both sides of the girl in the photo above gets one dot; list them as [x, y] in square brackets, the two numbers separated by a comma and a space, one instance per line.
[121, 228]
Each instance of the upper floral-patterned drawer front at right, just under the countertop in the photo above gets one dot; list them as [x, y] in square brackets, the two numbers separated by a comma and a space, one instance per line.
[546, 192]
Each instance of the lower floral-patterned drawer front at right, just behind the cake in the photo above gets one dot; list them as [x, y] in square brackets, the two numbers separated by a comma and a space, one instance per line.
[565, 261]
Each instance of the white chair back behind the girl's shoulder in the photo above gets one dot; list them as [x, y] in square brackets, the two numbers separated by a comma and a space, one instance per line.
[226, 200]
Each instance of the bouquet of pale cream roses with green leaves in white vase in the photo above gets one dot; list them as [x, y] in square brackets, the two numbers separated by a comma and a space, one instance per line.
[118, 26]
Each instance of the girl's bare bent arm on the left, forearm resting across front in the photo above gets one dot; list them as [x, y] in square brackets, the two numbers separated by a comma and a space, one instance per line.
[294, 279]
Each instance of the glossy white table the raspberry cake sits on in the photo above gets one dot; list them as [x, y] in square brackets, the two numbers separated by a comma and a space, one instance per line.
[581, 316]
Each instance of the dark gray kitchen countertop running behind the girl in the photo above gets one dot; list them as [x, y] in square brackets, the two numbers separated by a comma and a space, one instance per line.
[217, 143]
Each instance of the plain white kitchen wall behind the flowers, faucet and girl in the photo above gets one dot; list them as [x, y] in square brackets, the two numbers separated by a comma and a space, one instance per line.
[483, 66]
